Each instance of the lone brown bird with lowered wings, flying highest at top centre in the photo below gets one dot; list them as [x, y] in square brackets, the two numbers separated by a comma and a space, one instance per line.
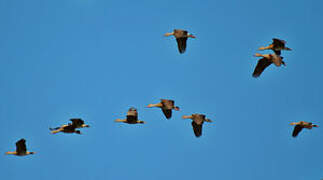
[181, 38]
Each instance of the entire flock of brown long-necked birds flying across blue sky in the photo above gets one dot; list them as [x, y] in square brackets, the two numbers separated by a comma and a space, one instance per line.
[167, 105]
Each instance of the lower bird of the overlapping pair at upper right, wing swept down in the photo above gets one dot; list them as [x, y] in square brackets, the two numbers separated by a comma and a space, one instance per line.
[267, 60]
